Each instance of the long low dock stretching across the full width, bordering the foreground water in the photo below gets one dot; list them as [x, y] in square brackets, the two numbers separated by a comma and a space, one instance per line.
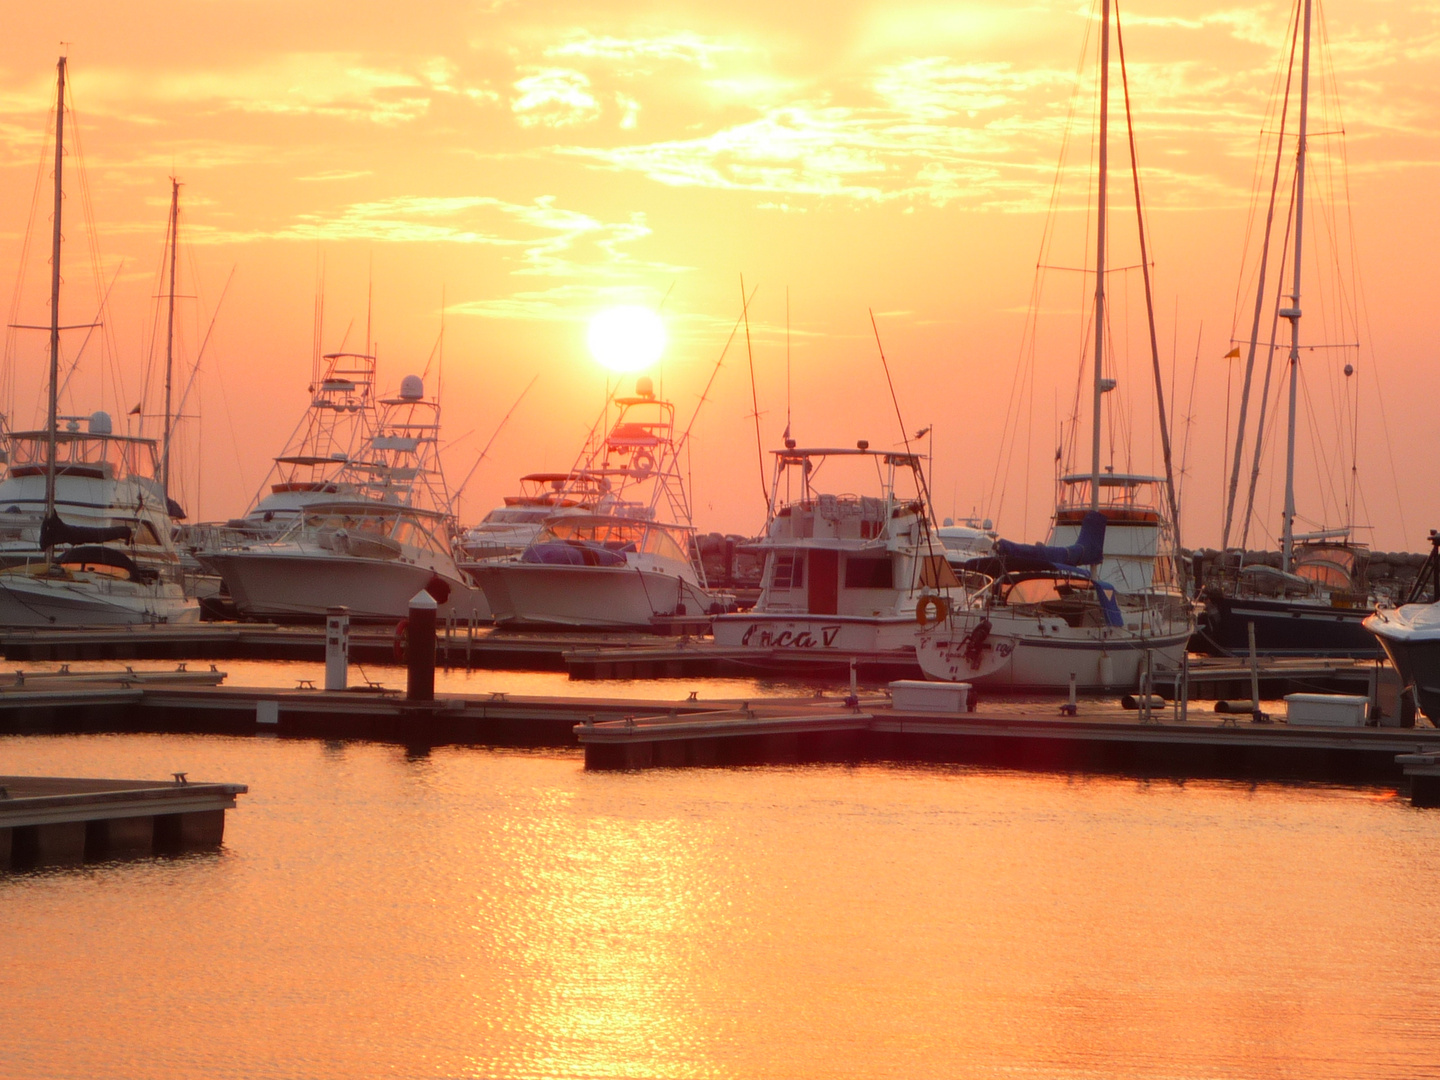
[629, 734]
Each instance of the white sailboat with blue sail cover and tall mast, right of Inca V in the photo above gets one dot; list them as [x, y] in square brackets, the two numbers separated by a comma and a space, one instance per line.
[1101, 604]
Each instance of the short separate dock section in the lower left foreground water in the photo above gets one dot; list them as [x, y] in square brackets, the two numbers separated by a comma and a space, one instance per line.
[58, 820]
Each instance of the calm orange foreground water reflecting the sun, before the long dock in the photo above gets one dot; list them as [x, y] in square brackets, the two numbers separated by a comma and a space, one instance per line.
[477, 914]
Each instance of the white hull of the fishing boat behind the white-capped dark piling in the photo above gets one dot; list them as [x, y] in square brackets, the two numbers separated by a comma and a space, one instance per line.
[269, 585]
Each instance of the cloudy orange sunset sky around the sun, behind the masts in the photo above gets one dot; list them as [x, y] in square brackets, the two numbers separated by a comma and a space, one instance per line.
[535, 163]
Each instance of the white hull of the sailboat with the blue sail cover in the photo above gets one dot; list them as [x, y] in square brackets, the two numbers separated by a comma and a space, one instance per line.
[1110, 662]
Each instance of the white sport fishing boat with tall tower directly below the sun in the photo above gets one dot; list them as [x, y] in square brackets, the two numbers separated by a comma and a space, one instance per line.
[631, 564]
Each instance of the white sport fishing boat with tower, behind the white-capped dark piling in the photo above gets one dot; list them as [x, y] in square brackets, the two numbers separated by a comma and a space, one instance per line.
[372, 544]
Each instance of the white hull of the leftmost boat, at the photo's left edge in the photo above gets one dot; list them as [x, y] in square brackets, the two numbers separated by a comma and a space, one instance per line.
[87, 601]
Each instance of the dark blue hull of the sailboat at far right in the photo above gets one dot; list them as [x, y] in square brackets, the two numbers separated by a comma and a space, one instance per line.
[1284, 629]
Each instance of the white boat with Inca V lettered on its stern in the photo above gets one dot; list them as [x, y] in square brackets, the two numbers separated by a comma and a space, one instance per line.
[846, 577]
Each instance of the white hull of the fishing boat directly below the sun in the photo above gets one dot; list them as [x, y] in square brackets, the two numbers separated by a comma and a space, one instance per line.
[593, 597]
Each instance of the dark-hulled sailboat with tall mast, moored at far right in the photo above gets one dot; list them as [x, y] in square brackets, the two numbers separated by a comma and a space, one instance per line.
[1315, 603]
